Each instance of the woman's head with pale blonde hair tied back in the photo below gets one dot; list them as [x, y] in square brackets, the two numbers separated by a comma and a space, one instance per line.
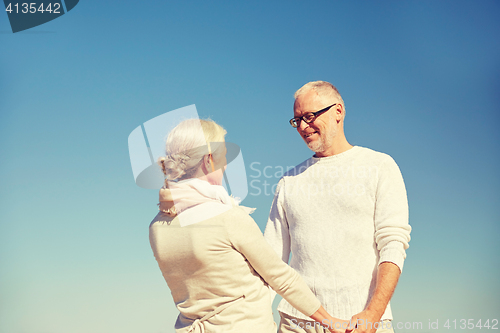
[188, 148]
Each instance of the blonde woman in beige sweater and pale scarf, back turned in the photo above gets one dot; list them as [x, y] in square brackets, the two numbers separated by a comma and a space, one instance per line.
[211, 252]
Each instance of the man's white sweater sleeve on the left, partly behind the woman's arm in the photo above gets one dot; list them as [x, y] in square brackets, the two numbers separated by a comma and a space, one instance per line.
[277, 233]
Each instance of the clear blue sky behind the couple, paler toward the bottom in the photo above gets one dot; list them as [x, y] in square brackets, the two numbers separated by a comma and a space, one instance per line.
[420, 81]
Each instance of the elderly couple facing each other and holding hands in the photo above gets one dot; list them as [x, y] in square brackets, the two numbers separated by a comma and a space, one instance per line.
[343, 213]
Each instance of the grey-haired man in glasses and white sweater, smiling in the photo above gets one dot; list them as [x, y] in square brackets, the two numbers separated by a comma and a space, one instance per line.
[343, 214]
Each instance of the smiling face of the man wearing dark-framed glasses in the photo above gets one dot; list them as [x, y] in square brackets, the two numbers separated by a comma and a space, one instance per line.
[319, 134]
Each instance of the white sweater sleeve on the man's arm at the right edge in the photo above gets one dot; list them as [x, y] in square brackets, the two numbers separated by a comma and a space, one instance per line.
[392, 231]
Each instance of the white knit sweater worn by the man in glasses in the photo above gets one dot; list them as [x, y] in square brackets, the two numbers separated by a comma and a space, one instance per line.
[340, 216]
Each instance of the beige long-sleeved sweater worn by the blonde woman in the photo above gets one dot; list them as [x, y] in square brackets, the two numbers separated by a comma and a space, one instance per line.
[218, 261]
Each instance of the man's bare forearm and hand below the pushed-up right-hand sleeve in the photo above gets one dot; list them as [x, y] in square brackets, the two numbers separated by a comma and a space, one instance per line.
[387, 279]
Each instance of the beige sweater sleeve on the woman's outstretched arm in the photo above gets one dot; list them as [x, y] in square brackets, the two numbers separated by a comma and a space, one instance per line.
[247, 239]
